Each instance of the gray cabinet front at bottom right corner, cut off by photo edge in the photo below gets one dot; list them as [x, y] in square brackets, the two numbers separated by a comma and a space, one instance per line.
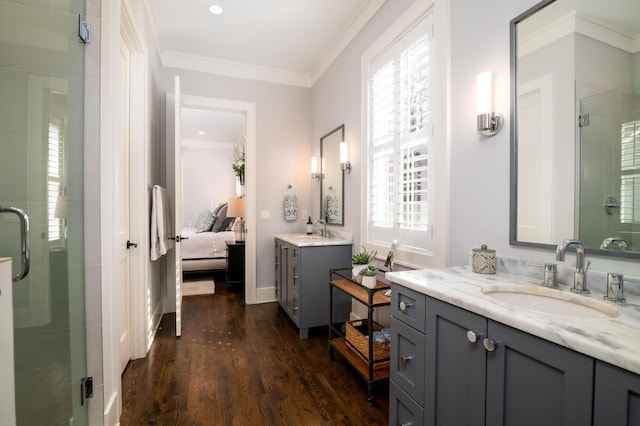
[616, 397]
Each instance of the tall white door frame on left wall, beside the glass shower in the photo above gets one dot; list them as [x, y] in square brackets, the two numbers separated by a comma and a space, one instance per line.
[118, 16]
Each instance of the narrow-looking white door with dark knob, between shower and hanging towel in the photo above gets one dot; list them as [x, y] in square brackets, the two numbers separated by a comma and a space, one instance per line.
[122, 185]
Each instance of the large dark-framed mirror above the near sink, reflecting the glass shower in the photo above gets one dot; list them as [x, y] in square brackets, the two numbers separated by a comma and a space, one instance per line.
[575, 126]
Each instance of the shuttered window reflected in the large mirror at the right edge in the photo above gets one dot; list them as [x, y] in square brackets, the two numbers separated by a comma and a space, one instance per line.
[630, 172]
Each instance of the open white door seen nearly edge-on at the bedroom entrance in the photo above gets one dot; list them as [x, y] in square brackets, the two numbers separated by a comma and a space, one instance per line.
[174, 189]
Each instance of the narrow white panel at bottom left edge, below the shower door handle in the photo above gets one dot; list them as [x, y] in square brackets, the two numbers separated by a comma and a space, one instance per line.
[7, 376]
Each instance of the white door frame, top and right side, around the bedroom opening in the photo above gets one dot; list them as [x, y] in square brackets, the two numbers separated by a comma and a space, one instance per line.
[249, 111]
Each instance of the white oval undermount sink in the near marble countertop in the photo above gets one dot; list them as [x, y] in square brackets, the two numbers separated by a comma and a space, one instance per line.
[550, 301]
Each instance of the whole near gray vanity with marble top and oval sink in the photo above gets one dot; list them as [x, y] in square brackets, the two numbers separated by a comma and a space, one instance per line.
[463, 354]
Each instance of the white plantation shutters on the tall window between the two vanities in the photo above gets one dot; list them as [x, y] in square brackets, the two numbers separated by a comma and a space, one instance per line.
[400, 131]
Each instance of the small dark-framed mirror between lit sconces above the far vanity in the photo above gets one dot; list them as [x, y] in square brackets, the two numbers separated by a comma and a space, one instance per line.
[331, 178]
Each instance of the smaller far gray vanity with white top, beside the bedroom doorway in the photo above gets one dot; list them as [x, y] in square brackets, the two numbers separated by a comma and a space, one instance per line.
[302, 265]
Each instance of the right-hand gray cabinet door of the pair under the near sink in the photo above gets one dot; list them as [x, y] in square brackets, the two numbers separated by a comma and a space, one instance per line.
[531, 381]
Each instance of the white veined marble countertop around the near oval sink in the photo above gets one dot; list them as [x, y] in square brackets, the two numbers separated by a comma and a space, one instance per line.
[613, 340]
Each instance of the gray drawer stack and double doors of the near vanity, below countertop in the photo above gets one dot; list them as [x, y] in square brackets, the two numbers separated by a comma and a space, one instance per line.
[514, 378]
